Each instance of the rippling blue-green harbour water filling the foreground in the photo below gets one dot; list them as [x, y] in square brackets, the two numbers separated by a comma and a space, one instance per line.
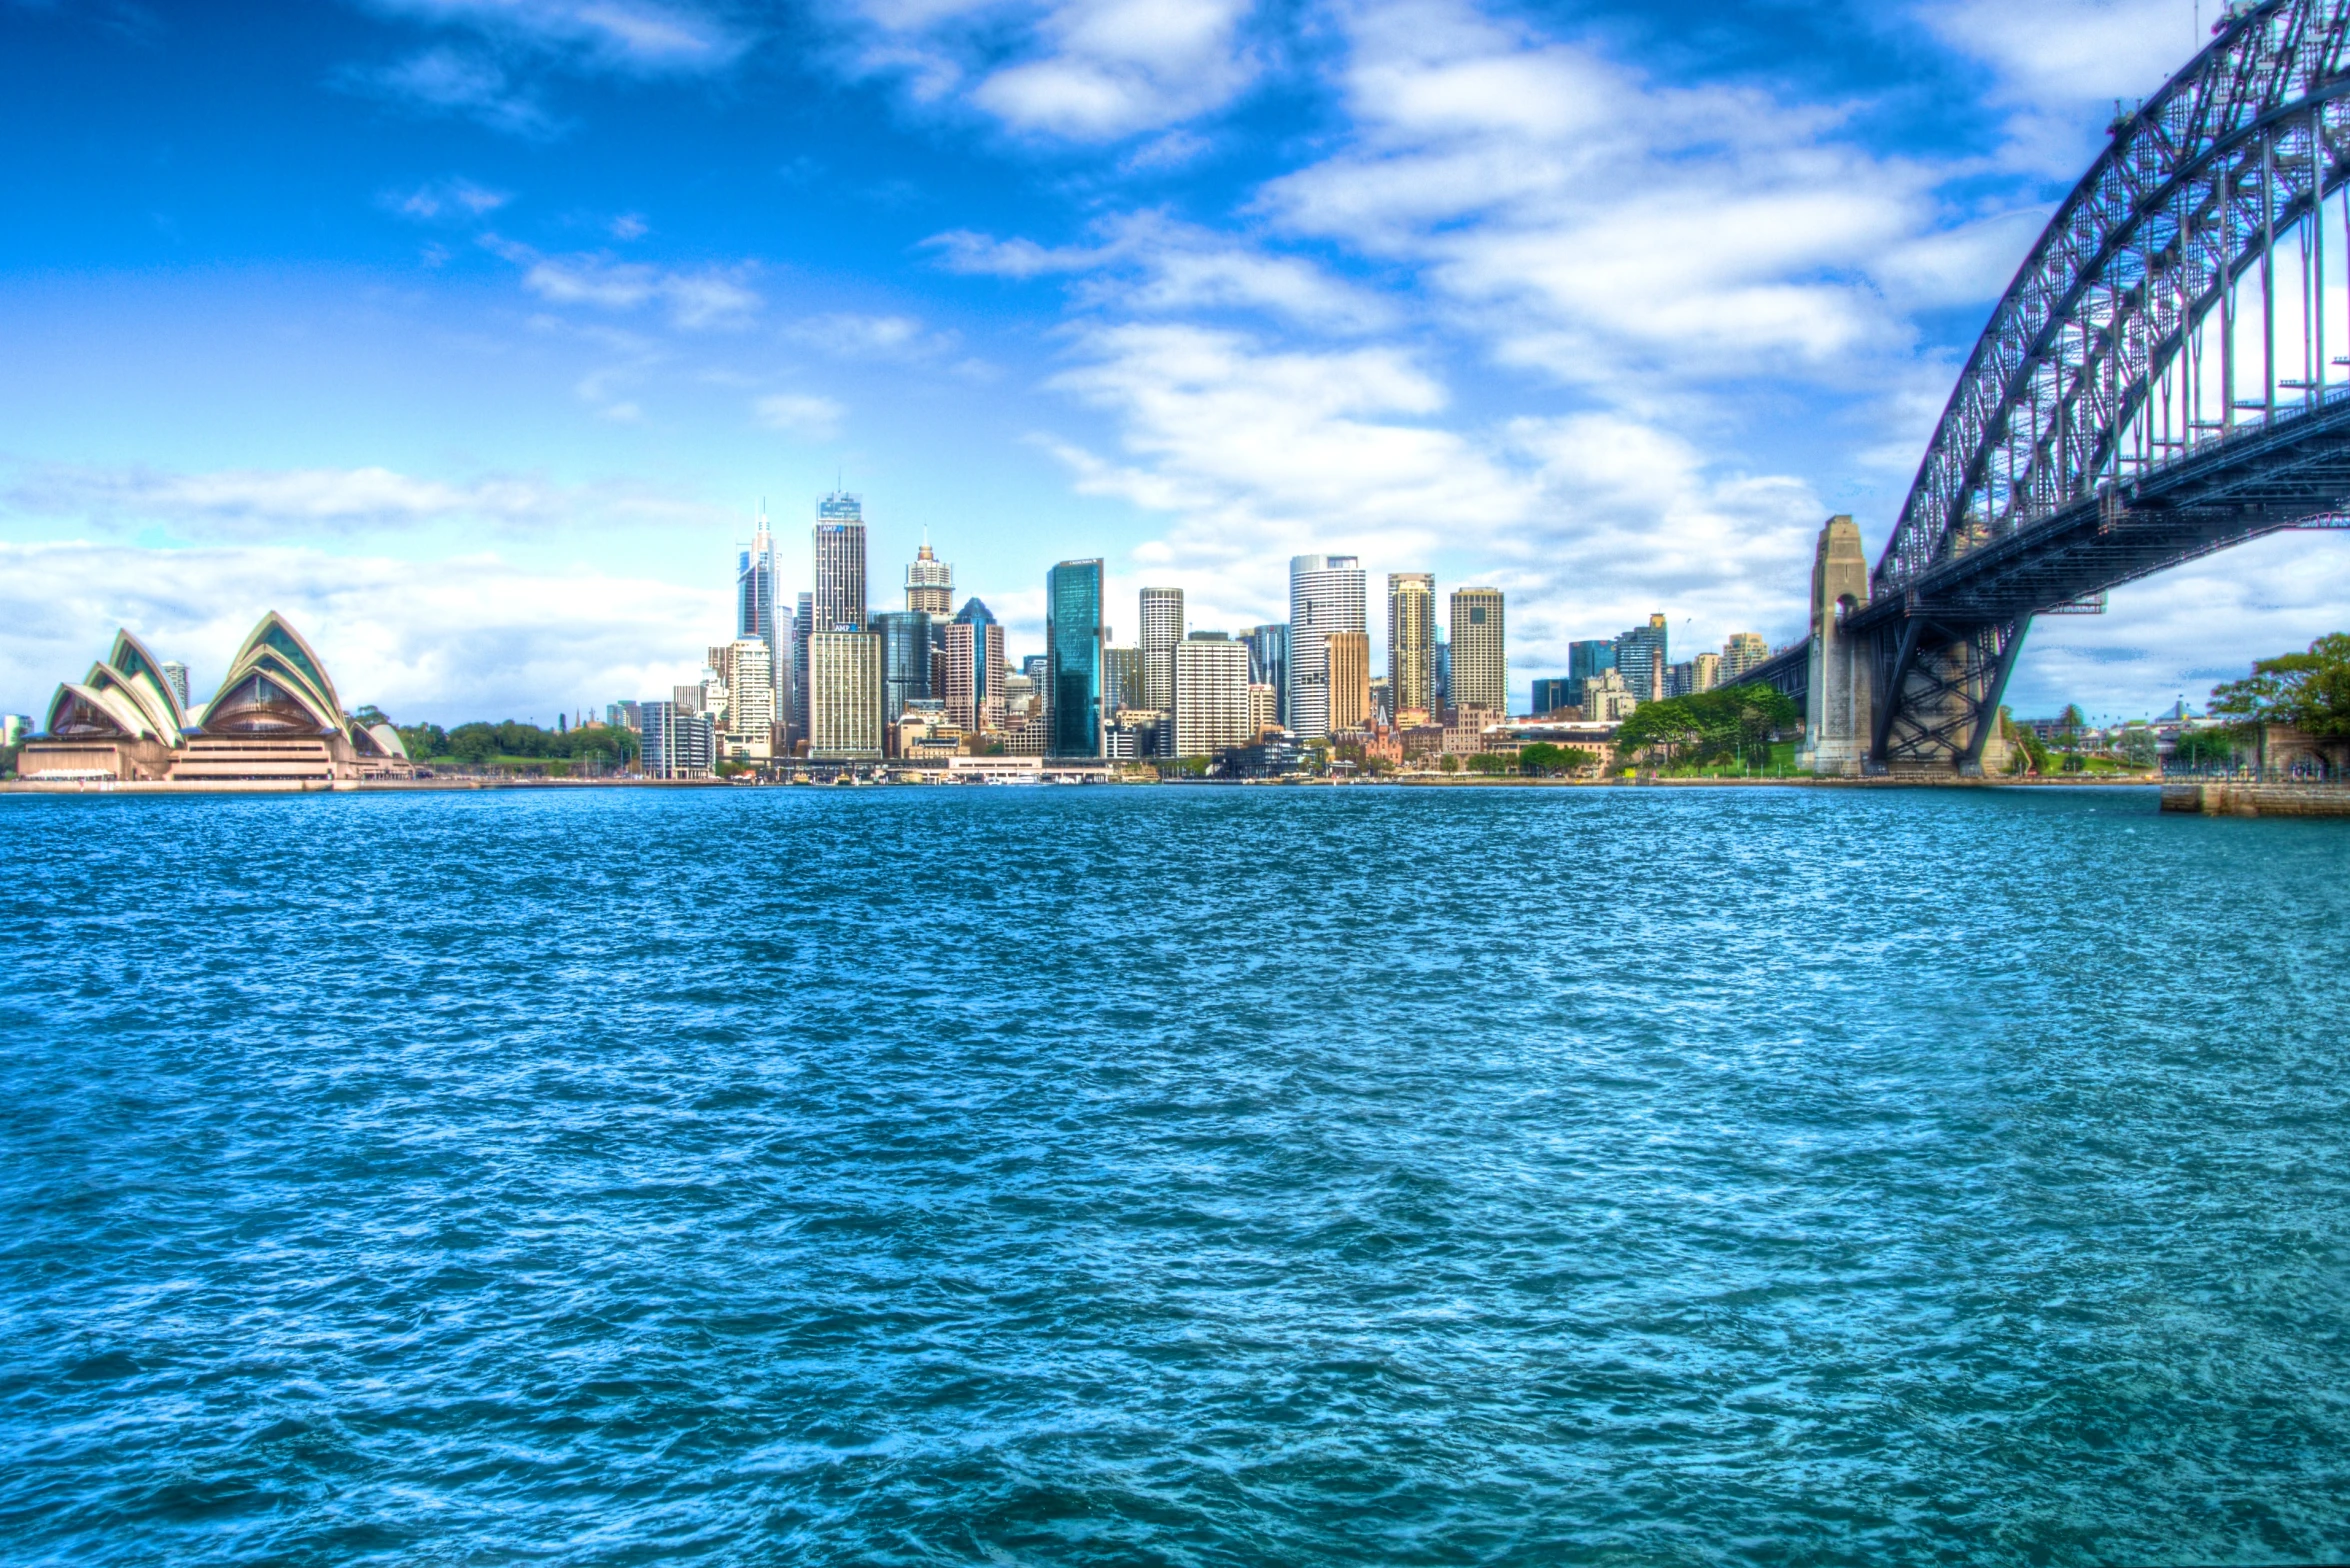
[1174, 1177]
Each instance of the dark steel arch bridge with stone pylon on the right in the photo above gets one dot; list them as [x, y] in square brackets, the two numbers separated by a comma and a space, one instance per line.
[2166, 377]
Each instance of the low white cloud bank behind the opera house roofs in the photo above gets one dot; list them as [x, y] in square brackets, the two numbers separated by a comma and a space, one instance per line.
[471, 638]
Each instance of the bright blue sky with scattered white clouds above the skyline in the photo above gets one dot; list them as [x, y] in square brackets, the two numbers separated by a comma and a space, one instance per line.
[474, 335]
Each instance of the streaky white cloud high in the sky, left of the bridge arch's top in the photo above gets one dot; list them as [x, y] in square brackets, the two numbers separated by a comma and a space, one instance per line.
[1602, 227]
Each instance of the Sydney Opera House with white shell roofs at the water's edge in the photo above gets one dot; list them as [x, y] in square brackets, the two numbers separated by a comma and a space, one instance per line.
[274, 721]
